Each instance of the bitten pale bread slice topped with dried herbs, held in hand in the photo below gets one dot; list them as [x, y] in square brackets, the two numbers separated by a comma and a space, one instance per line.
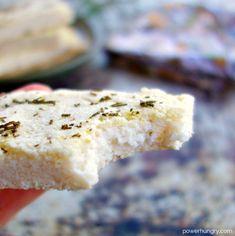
[62, 139]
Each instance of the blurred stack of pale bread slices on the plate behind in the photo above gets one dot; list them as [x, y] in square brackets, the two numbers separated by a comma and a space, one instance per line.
[36, 35]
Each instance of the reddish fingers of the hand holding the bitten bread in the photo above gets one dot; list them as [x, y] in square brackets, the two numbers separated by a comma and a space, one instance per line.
[12, 200]
